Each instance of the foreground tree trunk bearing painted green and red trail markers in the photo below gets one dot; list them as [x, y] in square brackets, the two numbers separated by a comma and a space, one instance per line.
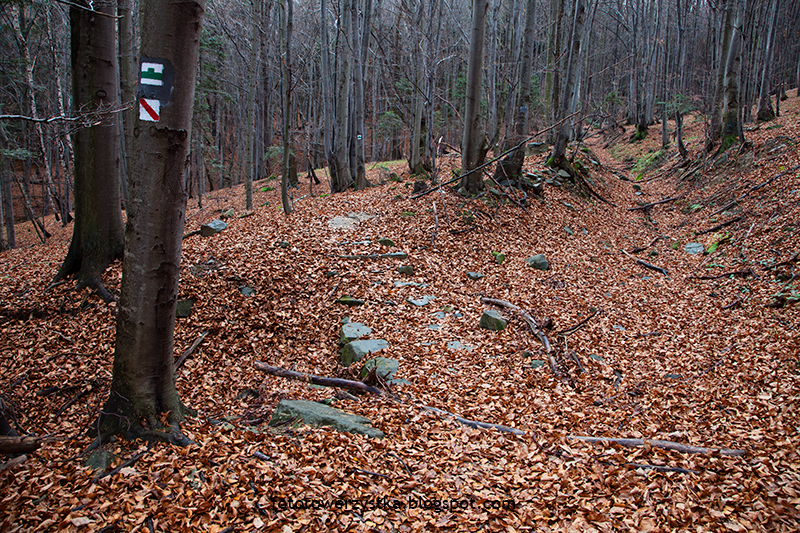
[143, 401]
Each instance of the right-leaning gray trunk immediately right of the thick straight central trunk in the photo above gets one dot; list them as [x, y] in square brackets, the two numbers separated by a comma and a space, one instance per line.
[511, 166]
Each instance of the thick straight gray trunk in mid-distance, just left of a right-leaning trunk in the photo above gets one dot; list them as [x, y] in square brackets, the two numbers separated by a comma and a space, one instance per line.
[473, 148]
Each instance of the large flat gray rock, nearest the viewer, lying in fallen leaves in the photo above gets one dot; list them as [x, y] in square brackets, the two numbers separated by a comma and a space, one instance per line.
[317, 414]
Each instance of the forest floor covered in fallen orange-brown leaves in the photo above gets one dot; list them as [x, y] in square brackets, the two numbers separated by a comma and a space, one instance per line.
[708, 356]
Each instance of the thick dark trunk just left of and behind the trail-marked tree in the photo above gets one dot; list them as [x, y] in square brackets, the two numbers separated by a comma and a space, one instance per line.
[97, 234]
